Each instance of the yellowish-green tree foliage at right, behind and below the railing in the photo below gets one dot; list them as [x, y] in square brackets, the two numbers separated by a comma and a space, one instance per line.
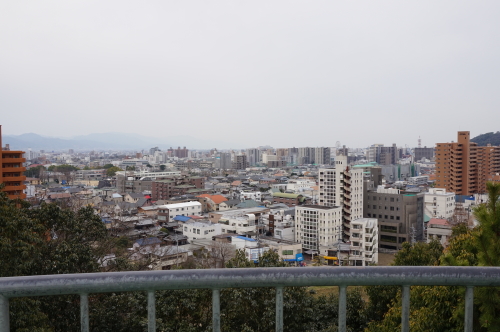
[441, 308]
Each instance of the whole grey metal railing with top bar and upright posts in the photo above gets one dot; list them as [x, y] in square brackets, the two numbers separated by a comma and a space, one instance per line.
[217, 279]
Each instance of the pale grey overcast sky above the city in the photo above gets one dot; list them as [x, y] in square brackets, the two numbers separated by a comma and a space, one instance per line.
[283, 73]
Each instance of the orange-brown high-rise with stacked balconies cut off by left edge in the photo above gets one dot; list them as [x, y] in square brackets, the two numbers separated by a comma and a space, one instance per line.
[11, 171]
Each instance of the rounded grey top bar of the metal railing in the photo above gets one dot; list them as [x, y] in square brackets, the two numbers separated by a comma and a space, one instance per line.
[249, 277]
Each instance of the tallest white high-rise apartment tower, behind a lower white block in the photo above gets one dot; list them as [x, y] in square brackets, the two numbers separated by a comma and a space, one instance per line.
[342, 186]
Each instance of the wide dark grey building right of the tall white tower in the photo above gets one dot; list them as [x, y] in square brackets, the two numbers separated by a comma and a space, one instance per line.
[400, 216]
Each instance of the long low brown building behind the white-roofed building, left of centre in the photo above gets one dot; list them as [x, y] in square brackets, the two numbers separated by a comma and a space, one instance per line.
[176, 186]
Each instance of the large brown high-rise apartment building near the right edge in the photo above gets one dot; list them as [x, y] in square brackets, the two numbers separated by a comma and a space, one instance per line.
[463, 167]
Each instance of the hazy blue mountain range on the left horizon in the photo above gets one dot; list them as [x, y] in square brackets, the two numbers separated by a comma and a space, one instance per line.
[108, 141]
